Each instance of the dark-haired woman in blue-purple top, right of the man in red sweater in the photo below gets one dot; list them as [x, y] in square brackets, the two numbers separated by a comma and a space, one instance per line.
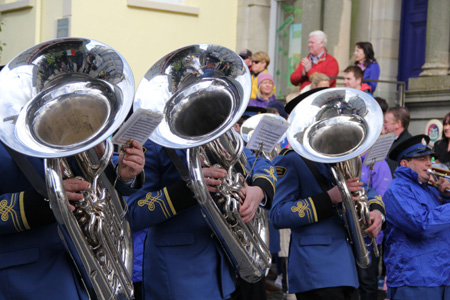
[365, 59]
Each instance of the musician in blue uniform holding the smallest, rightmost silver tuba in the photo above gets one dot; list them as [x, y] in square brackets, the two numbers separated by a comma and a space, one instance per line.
[321, 262]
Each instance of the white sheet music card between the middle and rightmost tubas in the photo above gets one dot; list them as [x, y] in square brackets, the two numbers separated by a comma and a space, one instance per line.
[268, 132]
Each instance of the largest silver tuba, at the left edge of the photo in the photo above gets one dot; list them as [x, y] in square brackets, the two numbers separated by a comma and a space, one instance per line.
[62, 98]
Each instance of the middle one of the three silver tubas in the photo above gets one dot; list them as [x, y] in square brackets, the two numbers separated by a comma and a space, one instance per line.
[202, 91]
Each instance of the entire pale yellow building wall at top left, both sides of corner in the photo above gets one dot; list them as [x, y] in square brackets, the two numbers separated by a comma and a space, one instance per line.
[140, 35]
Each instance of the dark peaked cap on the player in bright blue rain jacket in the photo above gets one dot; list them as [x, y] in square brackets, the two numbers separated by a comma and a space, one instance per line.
[416, 146]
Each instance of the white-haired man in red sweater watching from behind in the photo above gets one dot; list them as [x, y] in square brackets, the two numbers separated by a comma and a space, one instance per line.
[318, 60]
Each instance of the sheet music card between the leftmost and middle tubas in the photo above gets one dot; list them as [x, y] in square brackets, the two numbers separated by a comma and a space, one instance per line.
[138, 127]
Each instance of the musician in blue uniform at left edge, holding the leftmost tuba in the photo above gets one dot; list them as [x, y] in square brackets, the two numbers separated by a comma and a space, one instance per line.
[33, 260]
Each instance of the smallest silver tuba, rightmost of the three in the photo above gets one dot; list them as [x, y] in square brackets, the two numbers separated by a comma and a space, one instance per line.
[336, 126]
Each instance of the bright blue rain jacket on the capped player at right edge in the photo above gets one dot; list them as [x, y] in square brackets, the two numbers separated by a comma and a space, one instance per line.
[417, 233]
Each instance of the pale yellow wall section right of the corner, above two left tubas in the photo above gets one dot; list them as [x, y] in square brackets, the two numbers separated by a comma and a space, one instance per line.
[143, 36]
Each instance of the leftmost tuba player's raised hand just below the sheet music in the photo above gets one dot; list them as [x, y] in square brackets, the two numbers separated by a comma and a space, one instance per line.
[131, 161]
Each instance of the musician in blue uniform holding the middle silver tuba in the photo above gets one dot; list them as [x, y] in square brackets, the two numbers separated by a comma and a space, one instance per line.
[182, 259]
